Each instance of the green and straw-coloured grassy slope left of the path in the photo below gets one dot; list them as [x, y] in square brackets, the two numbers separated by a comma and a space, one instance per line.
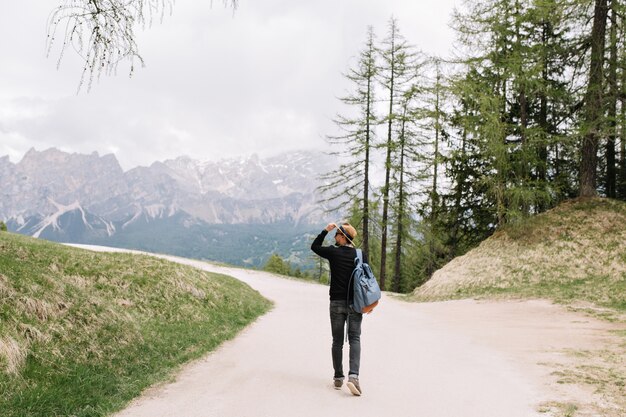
[82, 333]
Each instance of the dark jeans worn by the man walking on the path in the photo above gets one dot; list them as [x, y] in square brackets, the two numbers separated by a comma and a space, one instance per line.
[340, 313]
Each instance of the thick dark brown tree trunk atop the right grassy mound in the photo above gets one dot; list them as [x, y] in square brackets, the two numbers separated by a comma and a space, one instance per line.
[593, 103]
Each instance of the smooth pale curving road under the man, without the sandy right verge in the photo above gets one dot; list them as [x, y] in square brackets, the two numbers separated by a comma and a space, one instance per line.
[280, 366]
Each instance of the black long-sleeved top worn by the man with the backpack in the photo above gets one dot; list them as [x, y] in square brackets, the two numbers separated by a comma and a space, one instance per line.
[341, 260]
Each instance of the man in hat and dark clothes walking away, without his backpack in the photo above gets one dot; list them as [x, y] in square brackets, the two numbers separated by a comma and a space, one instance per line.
[341, 259]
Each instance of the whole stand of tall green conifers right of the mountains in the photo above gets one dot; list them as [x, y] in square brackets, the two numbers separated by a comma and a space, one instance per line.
[531, 111]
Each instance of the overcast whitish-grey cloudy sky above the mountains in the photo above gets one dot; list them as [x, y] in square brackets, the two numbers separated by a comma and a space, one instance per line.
[216, 84]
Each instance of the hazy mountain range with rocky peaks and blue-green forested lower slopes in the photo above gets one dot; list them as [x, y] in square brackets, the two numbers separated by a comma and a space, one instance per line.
[238, 211]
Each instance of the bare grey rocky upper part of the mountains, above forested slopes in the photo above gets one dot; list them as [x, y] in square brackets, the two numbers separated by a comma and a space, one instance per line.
[245, 190]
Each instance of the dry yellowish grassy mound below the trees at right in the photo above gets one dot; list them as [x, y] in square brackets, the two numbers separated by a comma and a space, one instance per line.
[573, 253]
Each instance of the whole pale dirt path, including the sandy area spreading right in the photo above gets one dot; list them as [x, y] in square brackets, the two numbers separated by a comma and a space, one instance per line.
[452, 359]
